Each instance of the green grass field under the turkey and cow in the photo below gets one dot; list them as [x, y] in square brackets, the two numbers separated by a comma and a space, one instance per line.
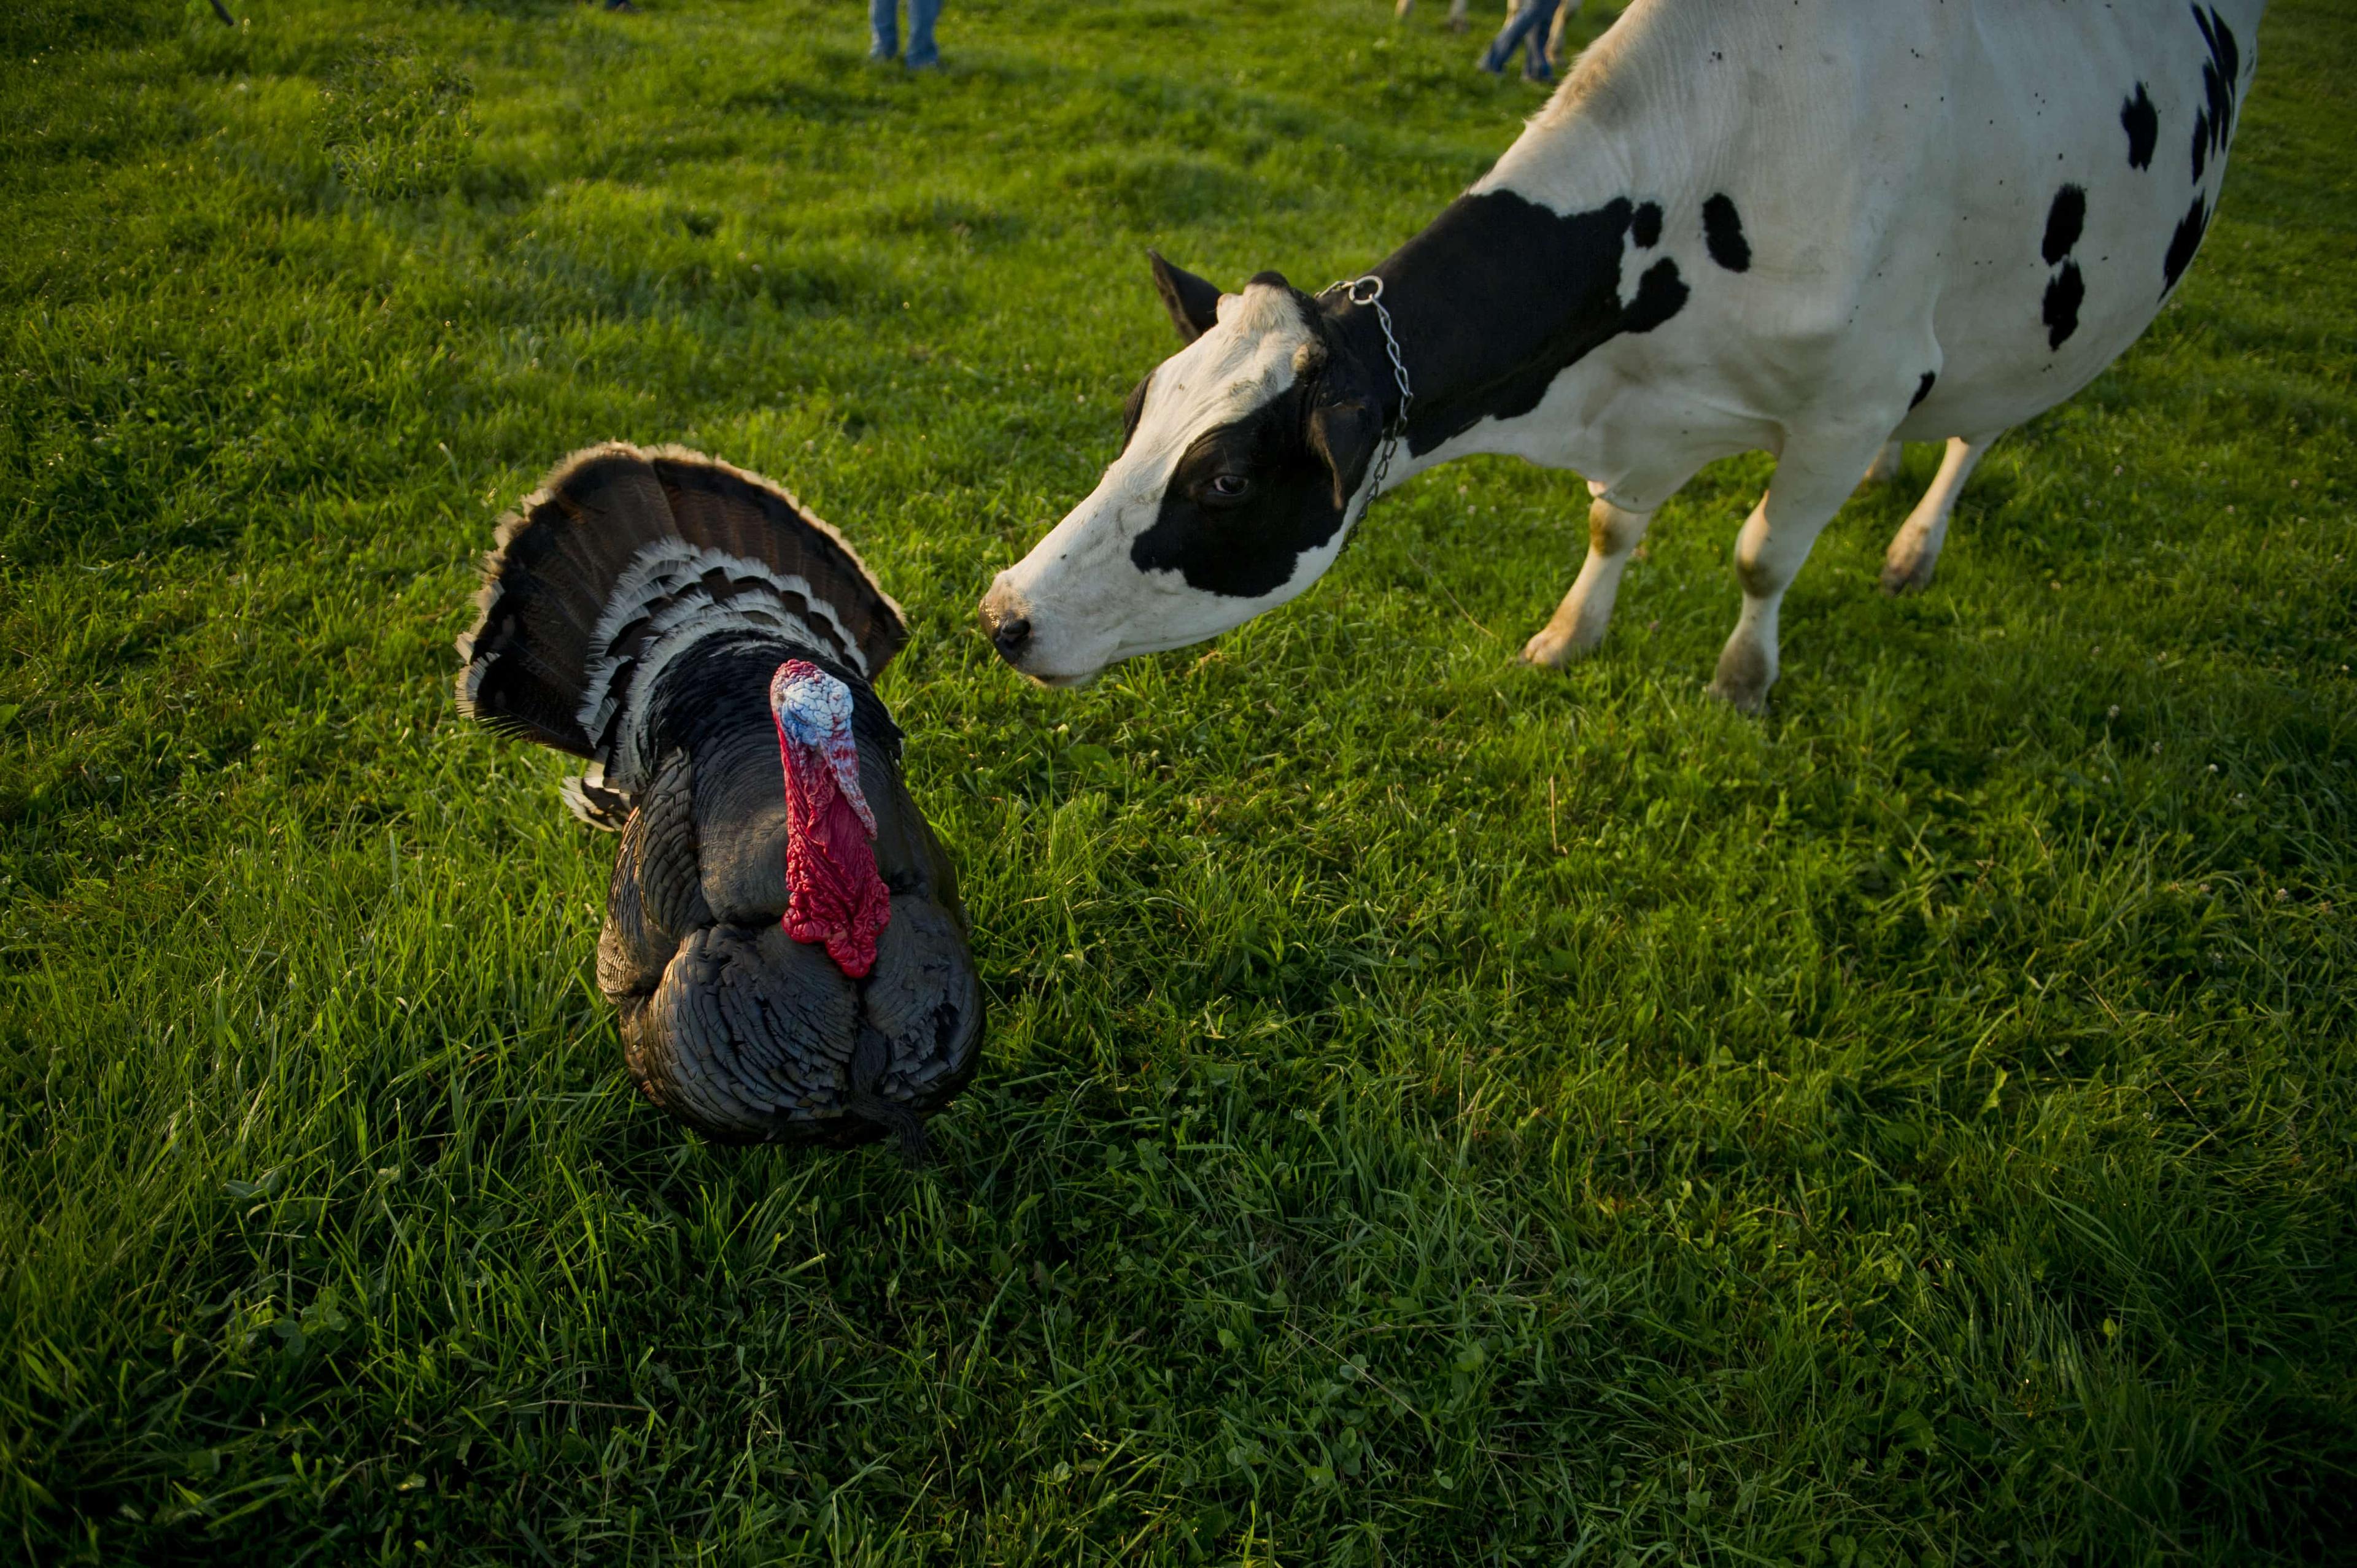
[1437, 1112]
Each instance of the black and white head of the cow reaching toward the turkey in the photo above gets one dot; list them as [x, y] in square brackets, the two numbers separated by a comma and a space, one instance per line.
[1241, 470]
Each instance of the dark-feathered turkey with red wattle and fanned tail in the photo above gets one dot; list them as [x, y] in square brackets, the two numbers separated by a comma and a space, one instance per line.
[784, 937]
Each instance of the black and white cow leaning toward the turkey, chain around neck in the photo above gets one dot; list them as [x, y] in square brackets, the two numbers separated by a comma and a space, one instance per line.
[1811, 230]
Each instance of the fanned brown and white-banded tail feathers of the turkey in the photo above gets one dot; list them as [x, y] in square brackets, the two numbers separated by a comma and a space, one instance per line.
[619, 565]
